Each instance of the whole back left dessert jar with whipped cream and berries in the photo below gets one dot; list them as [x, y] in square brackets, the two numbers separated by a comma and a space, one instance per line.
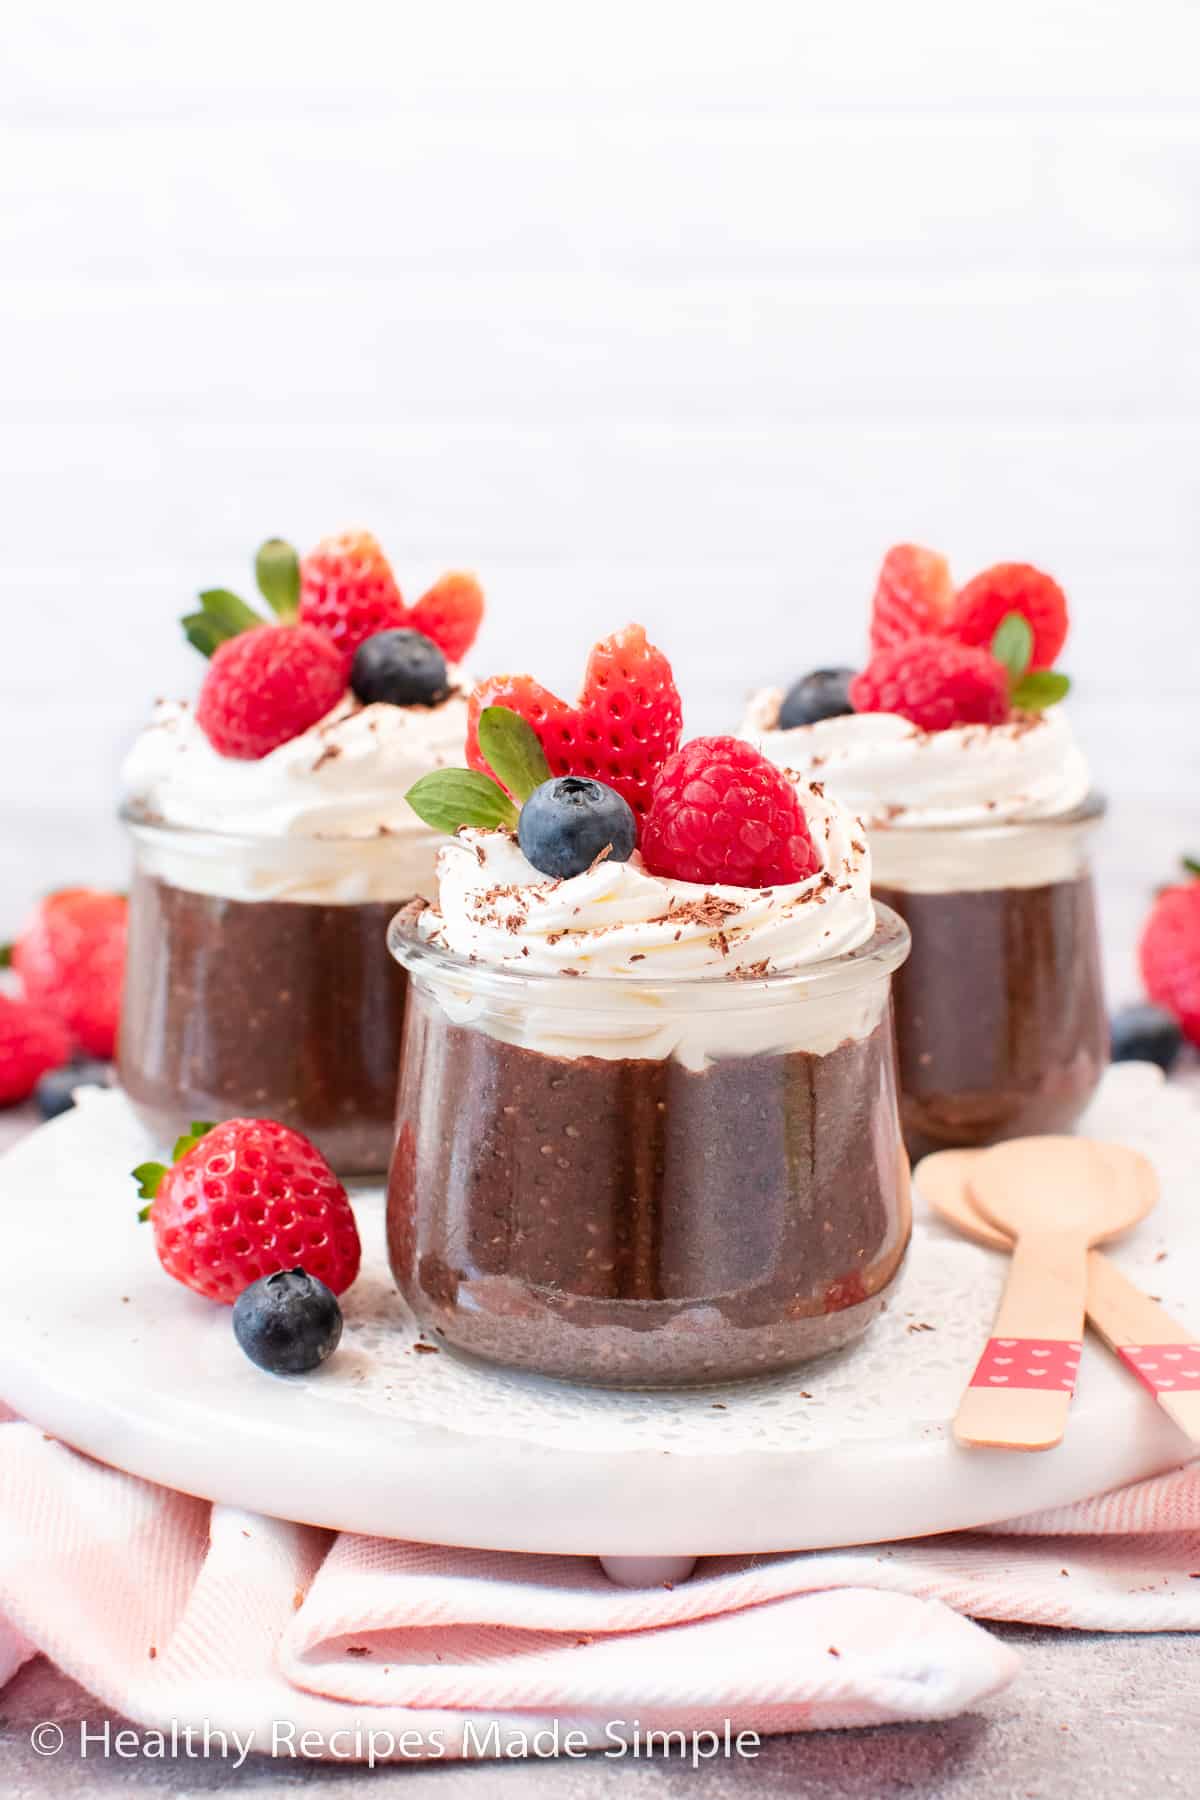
[273, 845]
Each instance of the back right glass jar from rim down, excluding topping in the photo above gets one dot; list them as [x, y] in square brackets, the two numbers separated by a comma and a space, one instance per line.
[1001, 1016]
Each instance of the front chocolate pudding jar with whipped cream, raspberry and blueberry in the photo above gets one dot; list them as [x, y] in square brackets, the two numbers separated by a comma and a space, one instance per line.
[647, 1124]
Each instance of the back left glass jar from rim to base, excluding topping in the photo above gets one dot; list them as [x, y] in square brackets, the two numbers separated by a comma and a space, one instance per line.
[260, 984]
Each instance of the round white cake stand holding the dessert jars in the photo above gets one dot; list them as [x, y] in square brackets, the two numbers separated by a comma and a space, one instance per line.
[102, 1349]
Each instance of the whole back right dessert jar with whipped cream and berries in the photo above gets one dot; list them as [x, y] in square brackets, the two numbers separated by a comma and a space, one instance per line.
[976, 798]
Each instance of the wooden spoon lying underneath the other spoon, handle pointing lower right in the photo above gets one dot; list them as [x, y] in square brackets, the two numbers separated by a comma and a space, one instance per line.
[1158, 1349]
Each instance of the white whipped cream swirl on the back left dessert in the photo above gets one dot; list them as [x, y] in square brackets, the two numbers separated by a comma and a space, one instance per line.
[330, 795]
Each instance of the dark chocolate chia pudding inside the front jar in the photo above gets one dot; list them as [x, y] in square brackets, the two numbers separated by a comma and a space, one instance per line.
[640, 1223]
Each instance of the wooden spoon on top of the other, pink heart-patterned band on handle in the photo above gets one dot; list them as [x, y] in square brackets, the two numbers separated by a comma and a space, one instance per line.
[1055, 1198]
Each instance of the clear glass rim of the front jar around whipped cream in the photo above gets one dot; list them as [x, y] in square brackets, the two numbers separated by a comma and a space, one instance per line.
[873, 960]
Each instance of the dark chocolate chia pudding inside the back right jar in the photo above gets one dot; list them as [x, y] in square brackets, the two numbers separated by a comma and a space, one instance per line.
[1019, 1039]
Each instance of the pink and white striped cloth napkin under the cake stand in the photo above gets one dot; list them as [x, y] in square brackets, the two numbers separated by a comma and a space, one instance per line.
[174, 1614]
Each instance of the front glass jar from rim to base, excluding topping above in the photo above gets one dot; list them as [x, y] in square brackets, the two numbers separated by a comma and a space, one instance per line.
[649, 1183]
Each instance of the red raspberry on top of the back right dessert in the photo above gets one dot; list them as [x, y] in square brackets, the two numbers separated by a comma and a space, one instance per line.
[936, 683]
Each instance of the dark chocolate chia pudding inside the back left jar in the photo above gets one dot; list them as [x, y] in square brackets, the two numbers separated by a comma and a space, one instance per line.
[224, 1016]
